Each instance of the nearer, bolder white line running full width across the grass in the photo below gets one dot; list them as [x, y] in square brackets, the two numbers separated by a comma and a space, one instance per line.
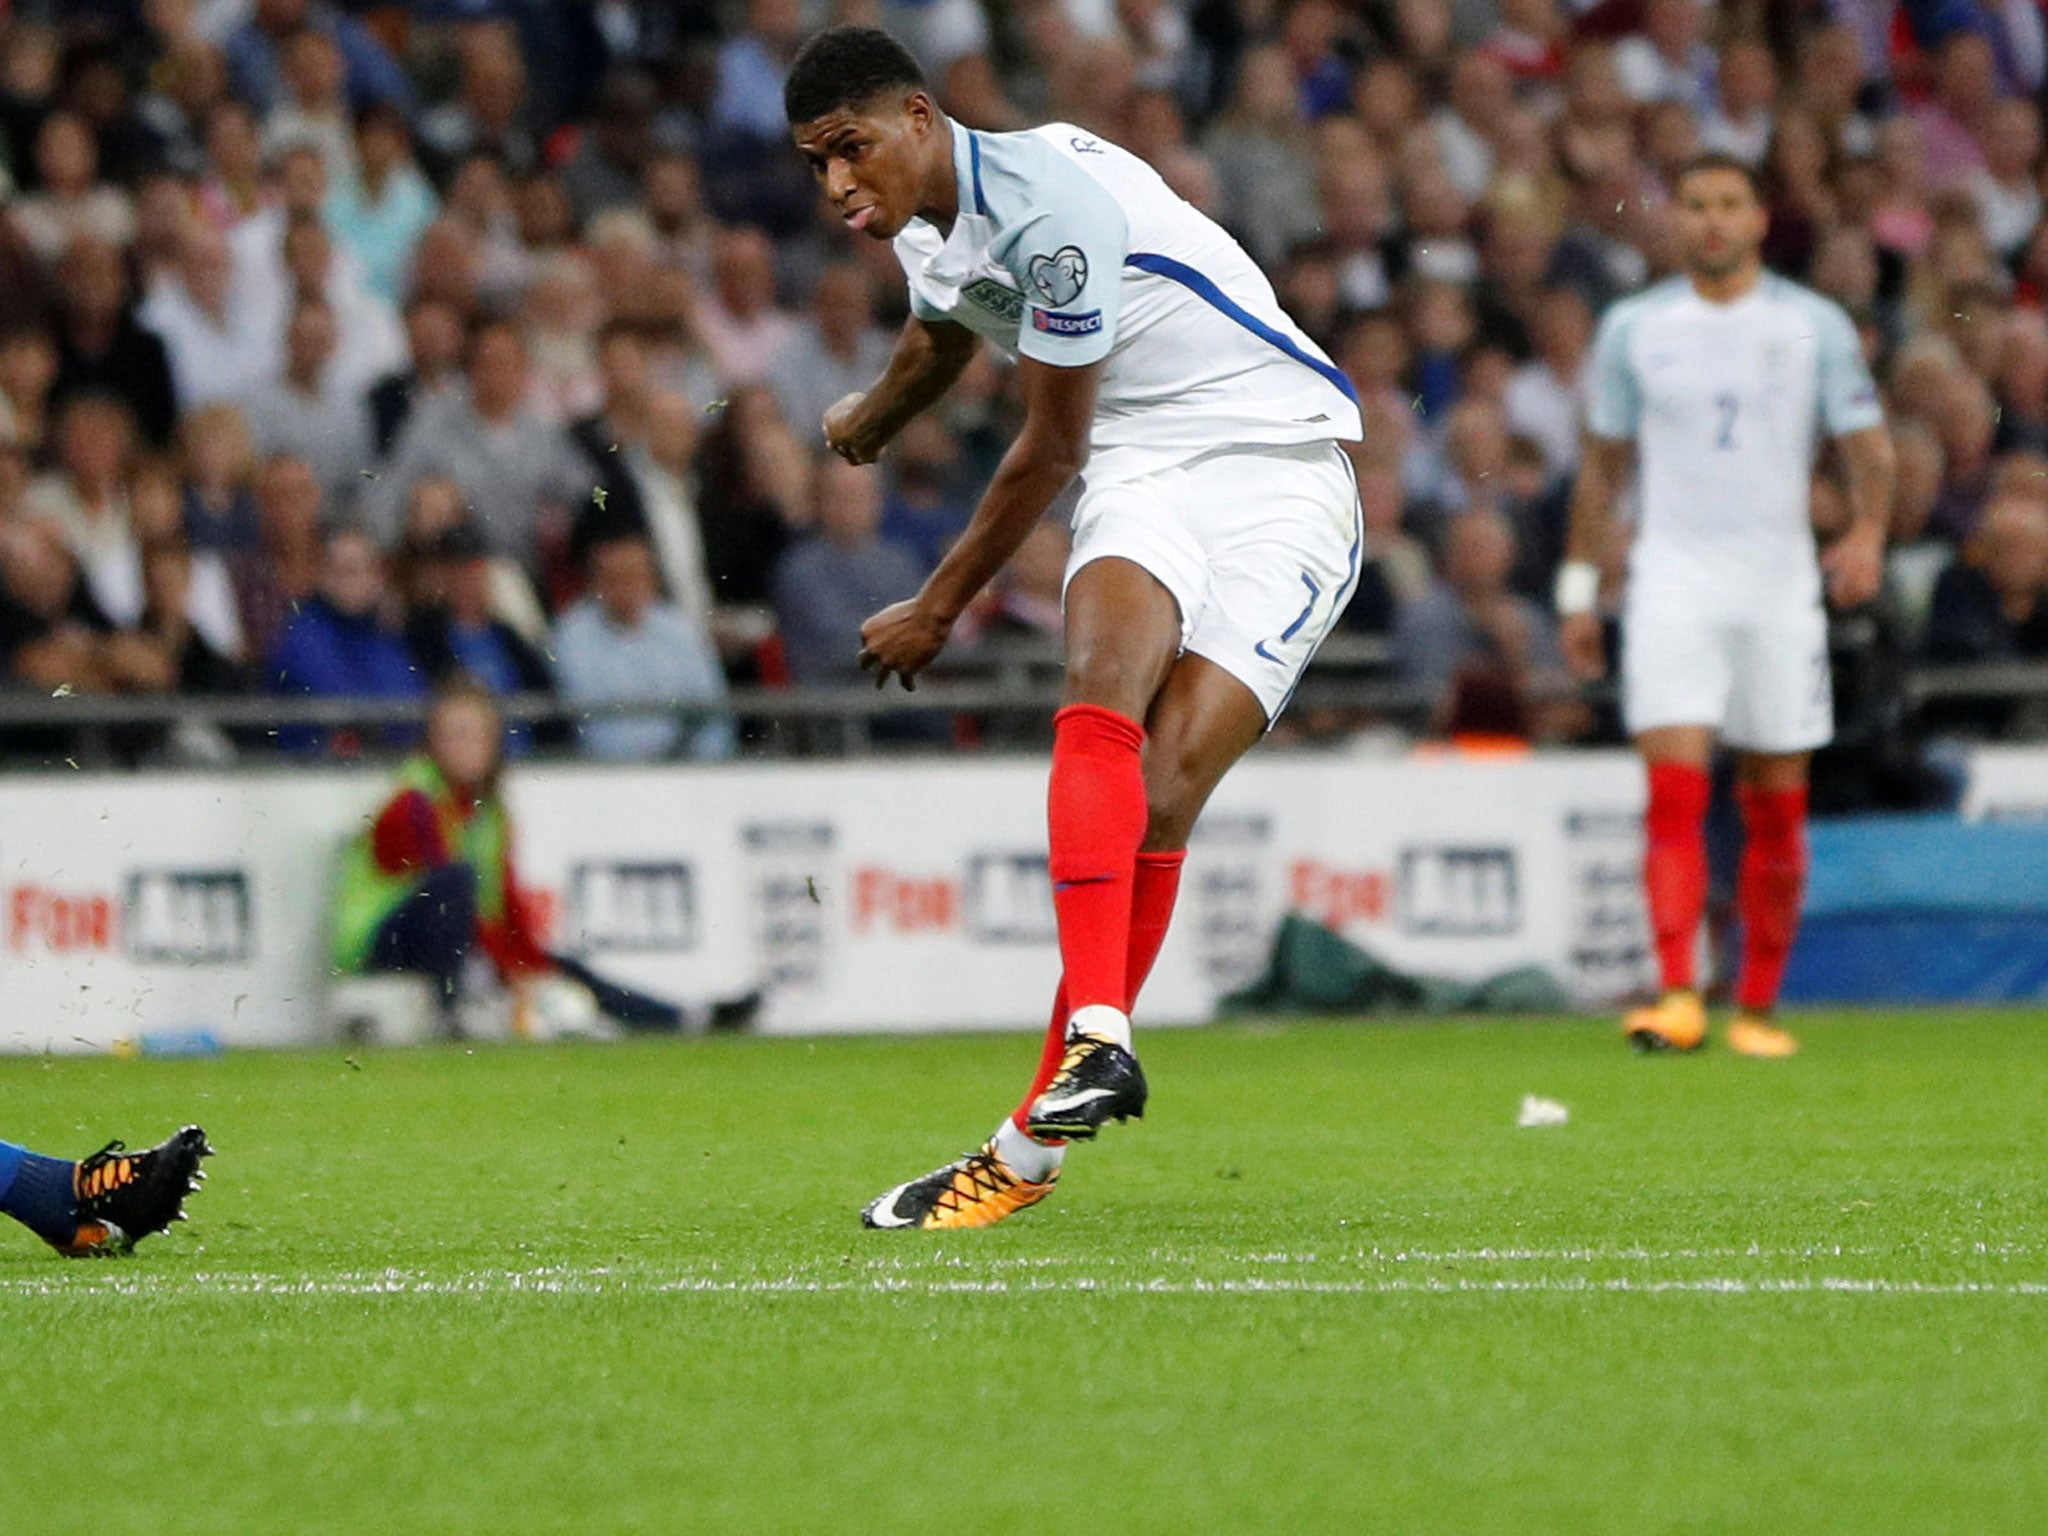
[603, 1283]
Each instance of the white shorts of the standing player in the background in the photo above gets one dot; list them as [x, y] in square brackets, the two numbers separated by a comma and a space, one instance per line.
[1760, 681]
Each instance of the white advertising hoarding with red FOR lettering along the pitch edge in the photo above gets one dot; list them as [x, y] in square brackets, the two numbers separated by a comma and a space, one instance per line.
[890, 896]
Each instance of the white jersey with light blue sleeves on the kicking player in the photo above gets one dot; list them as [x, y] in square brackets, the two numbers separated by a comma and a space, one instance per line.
[1072, 251]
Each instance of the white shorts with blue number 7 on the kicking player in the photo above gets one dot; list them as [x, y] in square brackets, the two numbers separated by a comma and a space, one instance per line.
[1258, 544]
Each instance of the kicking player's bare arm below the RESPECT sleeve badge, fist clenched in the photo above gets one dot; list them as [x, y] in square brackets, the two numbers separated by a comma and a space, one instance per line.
[1048, 454]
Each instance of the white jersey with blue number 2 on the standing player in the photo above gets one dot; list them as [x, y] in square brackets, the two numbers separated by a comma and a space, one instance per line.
[1725, 404]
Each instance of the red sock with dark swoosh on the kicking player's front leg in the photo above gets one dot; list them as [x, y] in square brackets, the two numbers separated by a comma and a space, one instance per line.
[1097, 814]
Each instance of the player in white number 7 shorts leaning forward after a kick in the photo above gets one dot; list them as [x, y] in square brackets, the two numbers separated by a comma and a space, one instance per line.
[1215, 542]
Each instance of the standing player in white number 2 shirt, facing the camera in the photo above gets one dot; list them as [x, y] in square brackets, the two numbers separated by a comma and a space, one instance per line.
[1721, 382]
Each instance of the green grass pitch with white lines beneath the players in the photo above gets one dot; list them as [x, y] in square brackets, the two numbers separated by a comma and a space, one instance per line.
[1326, 1285]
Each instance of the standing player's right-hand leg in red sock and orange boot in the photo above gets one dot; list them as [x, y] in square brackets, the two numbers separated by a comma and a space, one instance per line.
[1773, 796]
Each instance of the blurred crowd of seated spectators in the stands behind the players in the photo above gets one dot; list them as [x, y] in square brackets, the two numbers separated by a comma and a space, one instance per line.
[345, 347]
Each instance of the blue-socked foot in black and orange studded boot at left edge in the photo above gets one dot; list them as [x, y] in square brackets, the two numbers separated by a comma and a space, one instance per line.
[105, 1203]
